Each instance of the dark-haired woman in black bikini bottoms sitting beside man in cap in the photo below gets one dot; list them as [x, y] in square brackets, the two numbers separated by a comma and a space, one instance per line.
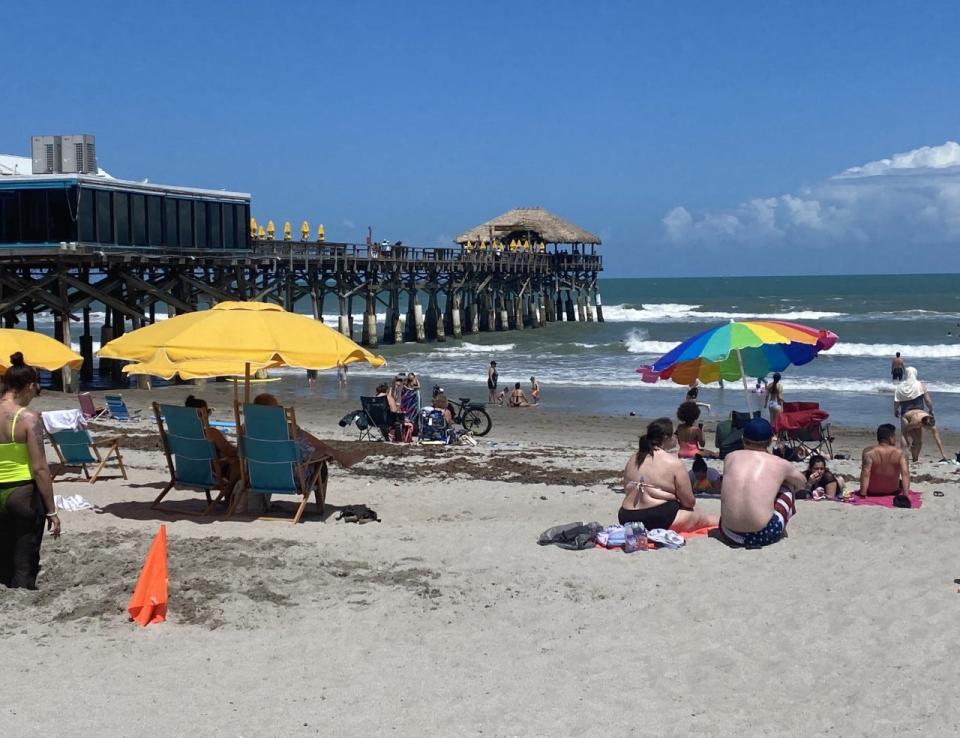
[657, 486]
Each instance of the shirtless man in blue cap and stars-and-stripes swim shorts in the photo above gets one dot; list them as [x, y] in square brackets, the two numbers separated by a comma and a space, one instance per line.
[756, 495]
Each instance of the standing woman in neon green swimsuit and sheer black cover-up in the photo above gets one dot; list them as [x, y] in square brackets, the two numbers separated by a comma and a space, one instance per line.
[26, 487]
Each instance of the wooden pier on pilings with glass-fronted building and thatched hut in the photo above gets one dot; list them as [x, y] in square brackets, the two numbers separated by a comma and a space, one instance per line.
[77, 243]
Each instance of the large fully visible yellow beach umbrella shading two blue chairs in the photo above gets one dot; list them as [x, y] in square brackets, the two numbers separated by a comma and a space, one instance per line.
[217, 342]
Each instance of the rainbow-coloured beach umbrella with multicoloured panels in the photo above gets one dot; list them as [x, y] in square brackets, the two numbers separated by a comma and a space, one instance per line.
[737, 350]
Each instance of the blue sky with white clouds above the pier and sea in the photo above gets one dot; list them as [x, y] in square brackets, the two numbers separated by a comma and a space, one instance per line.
[694, 137]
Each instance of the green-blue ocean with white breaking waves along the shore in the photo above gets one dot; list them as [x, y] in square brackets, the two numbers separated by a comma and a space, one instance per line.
[590, 367]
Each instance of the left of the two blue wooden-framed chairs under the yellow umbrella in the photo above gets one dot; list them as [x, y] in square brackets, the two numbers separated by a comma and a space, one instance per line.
[191, 456]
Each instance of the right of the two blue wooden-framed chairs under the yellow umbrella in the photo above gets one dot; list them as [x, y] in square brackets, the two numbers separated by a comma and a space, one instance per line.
[271, 461]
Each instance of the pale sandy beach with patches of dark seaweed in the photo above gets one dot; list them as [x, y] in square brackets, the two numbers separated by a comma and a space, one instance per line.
[446, 618]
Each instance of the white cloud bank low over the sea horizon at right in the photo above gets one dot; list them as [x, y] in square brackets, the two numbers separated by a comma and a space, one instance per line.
[912, 197]
